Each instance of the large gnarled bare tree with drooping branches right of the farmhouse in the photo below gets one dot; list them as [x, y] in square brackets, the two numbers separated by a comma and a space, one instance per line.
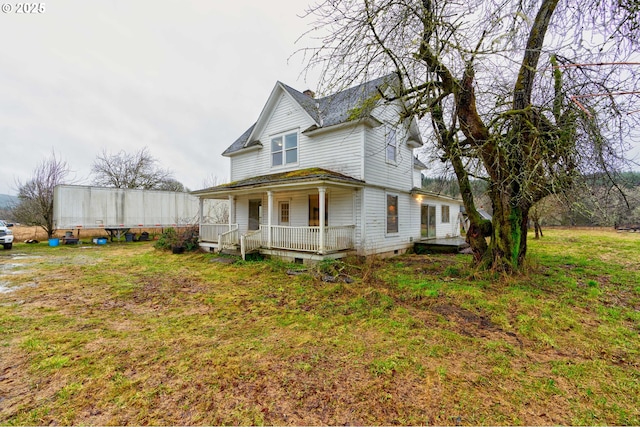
[511, 94]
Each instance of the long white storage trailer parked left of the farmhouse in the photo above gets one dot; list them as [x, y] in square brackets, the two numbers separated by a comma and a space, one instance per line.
[116, 210]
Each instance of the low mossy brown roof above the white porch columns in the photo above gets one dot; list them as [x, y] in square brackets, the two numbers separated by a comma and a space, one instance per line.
[300, 176]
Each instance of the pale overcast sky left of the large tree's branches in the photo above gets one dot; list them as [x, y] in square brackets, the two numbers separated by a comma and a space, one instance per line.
[183, 78]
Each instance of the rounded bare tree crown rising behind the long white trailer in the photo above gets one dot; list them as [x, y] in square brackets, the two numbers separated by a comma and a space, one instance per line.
[126, 170]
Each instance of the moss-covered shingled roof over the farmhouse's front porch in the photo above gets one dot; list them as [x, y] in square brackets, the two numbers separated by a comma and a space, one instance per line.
[296, 178]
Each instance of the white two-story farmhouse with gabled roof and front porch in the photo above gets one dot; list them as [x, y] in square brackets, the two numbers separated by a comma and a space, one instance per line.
[321, 178]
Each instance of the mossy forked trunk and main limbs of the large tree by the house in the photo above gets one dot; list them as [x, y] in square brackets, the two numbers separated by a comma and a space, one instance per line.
[504, 156]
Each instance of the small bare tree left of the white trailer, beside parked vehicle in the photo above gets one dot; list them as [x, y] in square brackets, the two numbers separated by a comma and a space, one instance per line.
[35, 205]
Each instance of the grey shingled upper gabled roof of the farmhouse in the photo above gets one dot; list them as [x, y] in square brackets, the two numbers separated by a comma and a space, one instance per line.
[348, 105]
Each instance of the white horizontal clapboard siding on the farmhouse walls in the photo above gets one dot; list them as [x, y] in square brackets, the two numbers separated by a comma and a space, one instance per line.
[358, 151]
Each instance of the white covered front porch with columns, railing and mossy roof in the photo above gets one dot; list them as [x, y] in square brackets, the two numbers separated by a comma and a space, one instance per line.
[305, 215]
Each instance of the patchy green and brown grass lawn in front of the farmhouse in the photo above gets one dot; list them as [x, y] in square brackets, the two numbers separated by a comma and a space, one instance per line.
[125, 334]
